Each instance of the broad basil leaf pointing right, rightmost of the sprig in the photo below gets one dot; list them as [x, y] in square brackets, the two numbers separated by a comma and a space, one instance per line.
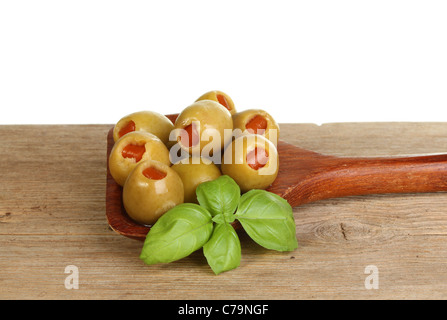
[268, 220]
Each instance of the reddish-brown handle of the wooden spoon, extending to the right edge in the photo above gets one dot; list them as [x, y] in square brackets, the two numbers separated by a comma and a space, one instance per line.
[339, 177]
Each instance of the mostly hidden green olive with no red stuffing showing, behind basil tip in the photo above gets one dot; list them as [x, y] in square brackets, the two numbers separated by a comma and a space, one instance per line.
[194, 171]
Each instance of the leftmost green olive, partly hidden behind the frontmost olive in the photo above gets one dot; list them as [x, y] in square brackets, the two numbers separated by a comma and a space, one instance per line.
[132, 148]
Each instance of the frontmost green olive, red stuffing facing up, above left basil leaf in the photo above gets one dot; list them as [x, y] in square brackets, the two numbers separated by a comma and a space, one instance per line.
[151, 189]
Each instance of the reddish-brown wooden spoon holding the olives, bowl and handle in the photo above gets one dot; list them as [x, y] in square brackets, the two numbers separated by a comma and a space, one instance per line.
[306, 176]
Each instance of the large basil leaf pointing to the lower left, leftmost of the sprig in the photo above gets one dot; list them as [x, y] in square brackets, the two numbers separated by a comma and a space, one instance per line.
[178, 233]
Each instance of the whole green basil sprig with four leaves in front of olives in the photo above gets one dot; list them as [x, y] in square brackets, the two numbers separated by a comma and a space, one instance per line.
[266, 217]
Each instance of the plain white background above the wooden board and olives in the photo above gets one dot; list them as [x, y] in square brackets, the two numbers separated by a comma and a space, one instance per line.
[303, 61]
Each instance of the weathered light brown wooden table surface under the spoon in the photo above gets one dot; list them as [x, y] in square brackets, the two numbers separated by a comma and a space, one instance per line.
[52, 215]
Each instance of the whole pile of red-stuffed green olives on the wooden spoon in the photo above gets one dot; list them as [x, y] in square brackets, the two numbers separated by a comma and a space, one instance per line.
[159, 163]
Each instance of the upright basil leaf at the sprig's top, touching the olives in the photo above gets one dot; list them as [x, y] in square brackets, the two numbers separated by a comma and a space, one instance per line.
[219, 196]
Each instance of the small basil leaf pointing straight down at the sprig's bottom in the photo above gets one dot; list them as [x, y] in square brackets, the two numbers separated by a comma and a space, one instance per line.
[223, 250]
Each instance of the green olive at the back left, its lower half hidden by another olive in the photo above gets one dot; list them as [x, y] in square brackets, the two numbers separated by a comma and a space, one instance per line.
[148, 121]
